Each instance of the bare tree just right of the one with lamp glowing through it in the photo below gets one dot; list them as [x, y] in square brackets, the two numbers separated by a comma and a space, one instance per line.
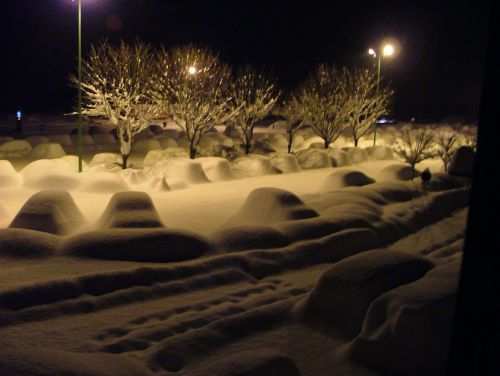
[253, 98]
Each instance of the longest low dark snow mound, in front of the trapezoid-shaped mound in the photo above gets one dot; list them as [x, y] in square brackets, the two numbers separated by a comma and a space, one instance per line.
[132, 244]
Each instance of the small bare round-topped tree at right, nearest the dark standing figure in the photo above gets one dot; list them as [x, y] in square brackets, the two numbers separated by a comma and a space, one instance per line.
[415, 144]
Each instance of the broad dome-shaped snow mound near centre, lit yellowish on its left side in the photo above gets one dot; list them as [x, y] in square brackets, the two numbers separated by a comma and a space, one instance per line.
[266, 206]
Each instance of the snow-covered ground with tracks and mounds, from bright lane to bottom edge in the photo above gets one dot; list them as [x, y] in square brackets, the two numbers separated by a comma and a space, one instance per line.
[288, 274]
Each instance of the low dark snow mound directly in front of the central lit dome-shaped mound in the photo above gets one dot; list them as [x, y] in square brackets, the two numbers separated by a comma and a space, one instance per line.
[249, 237]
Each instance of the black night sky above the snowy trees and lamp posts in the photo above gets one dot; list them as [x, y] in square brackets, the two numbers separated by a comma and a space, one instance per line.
[438, 71]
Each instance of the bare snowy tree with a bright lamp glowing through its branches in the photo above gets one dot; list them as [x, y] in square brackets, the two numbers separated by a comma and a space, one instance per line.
[193, 87]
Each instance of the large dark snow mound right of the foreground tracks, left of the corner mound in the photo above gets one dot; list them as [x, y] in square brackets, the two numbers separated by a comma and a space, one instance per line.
[355, 282]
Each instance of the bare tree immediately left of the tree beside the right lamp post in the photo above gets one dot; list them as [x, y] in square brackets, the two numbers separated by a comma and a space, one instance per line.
[323, 103]
